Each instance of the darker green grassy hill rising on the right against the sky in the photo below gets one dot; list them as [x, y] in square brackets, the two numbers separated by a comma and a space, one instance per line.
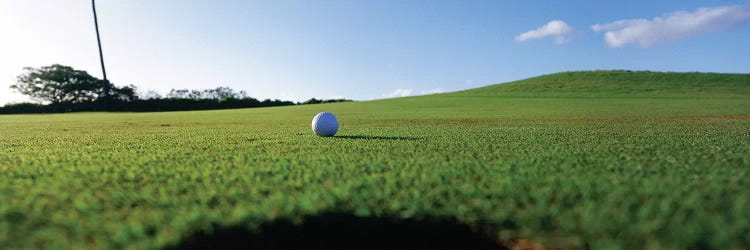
[622, 83]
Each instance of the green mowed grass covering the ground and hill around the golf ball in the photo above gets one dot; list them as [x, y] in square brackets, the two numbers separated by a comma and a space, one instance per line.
[666, 170]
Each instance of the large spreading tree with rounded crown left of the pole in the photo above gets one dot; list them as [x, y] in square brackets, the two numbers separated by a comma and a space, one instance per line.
[58, 83]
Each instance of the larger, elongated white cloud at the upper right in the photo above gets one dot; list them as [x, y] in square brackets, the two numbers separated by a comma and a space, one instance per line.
[671, 27]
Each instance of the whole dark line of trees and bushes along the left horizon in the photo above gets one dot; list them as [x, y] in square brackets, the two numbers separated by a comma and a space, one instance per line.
[59, 88]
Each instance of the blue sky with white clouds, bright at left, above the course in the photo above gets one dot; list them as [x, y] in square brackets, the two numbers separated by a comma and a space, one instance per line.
[367, 49]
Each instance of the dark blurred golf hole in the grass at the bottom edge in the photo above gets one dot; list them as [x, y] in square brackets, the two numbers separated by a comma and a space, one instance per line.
[346, 231]
